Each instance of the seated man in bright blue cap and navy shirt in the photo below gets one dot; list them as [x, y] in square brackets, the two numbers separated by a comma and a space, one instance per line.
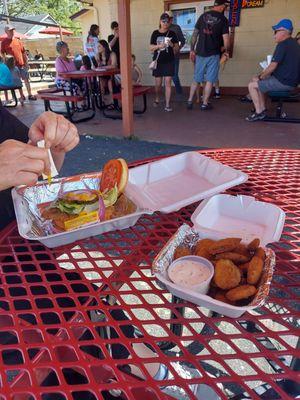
[283, 74]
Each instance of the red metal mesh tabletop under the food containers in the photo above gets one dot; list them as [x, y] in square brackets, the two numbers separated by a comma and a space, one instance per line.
[88, 321]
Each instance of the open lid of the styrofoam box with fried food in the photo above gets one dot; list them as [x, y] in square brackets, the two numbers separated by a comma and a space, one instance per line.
[239, 216]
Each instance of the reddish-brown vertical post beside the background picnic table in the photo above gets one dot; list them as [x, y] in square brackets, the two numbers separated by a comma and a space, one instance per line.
[125, 61]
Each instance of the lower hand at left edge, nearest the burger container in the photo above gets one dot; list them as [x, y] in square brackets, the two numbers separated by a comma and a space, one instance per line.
[21, 163]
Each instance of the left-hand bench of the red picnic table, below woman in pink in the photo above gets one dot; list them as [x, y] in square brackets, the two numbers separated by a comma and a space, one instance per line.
[71, 111]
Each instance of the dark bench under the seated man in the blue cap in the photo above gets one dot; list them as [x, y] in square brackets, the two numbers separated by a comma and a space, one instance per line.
[280, 98]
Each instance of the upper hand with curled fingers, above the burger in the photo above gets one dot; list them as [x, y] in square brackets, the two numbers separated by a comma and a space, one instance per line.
[59, 134]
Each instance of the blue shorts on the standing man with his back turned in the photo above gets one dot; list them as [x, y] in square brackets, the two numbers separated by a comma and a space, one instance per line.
[207, 69]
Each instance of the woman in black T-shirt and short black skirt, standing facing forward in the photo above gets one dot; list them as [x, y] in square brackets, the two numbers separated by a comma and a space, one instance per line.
[163, 45]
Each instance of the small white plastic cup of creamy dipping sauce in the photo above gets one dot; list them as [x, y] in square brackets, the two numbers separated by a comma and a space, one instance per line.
[192, 272]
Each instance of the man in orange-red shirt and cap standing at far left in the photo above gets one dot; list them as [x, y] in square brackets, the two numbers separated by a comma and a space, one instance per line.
[13, 47]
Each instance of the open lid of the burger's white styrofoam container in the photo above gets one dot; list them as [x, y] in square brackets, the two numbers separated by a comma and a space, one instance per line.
[172, 183]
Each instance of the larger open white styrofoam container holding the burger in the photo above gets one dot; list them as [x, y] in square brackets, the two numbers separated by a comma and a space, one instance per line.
[165, 185]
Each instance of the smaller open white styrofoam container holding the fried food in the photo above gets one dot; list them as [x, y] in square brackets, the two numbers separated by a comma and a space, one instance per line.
[230, 216]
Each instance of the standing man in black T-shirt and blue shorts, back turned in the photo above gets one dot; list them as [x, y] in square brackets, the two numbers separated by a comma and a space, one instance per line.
[210, 29]
